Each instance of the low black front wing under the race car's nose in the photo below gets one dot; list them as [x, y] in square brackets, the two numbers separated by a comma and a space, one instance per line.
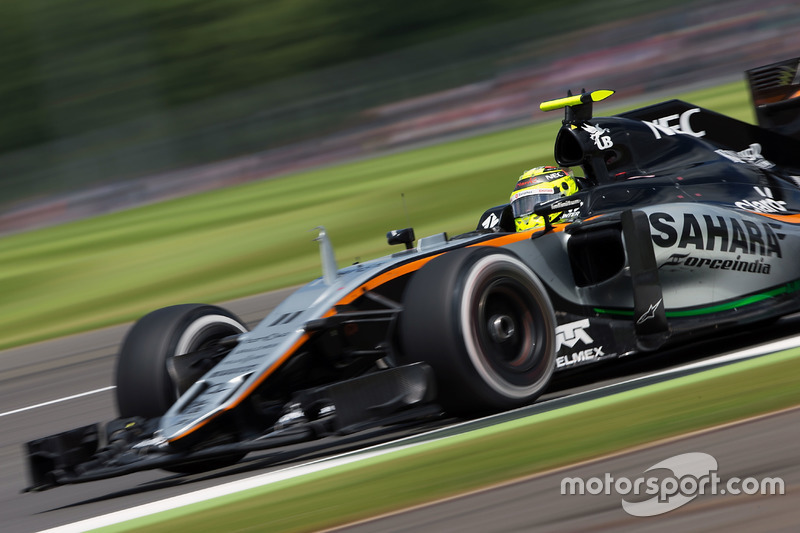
[344, 410]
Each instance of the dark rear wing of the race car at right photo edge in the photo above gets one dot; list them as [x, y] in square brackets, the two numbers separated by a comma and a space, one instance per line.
[775, 90]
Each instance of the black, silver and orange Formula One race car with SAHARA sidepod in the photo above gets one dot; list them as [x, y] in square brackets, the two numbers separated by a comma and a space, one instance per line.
[688, 224]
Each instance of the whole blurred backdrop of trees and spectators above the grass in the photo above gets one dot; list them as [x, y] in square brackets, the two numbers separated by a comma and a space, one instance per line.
[107, 105]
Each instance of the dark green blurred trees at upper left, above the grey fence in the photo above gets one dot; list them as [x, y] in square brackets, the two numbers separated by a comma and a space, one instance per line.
[72, 66]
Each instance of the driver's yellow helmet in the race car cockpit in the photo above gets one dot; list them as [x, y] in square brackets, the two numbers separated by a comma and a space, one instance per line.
[538, 185]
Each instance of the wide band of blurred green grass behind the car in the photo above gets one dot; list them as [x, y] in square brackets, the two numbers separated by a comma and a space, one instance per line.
[257, 237]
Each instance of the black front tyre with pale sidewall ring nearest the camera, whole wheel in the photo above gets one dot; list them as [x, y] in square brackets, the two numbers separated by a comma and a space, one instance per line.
[482, 319]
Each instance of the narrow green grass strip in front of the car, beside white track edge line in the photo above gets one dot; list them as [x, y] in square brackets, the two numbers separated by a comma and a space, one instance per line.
[509, 451]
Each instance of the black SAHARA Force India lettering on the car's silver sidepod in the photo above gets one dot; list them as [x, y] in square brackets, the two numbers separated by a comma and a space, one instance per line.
[751, 243]
